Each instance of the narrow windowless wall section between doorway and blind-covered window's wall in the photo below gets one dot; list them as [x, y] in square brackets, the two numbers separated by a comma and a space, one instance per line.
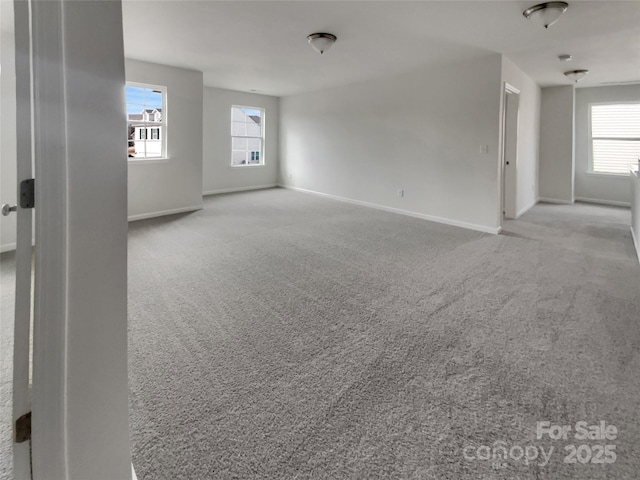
[556, 144]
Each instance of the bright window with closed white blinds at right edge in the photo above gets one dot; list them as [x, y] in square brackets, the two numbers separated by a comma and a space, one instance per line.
[615, 137]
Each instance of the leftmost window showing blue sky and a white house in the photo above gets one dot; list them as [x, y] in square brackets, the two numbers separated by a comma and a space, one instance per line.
[146, 120]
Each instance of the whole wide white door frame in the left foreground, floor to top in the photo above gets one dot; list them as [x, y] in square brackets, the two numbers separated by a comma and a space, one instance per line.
[79, 396]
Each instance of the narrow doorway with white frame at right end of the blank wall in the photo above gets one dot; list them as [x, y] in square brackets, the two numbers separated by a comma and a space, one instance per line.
[511, 105]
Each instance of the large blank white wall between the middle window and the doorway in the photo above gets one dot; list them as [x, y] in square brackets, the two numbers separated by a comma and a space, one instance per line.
[420, 132]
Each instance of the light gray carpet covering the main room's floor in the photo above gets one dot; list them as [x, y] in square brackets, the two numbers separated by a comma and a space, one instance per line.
[278, 335]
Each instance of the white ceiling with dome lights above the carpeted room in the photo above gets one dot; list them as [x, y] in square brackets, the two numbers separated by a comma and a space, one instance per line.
[261, 45]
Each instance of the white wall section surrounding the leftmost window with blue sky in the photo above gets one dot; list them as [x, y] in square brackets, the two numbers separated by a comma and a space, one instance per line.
[162, 187]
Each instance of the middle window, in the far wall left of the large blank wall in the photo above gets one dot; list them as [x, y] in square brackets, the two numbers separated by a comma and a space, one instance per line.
[247, 136]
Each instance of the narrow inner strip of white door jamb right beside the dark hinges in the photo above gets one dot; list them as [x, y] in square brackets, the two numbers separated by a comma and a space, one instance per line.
[50, 446]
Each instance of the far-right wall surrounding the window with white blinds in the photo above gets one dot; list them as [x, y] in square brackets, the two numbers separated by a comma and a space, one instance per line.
[596, 187]
